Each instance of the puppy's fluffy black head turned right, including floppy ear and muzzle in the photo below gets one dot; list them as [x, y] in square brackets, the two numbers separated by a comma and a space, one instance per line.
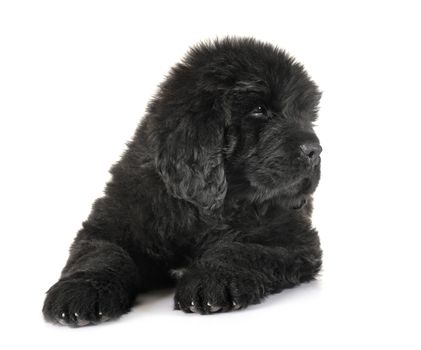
[236, 116]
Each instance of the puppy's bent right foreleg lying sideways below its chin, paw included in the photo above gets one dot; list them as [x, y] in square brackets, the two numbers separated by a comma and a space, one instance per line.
[233, 275]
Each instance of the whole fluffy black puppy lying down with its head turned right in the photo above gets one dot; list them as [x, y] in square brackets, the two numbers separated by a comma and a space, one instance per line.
[213, 193]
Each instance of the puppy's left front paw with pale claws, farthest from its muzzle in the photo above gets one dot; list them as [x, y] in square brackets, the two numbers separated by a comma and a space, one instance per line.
[79, 302]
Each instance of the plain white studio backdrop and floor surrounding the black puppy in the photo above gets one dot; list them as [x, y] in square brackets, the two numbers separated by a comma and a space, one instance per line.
[75, 77]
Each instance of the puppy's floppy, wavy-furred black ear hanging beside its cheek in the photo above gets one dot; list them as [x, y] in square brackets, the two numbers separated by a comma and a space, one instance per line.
[190, 159]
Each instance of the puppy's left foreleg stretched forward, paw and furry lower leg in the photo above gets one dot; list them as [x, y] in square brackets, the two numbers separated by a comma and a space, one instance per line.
[99, 282]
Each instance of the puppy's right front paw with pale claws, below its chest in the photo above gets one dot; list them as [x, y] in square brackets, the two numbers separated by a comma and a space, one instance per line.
[207, 292]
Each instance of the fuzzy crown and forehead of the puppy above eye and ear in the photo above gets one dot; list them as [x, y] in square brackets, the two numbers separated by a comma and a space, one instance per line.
[248, 66]
